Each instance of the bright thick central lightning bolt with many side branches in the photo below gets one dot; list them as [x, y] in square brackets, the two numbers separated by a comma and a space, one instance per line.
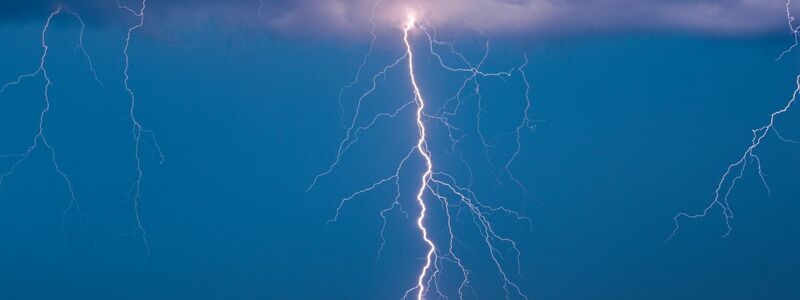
[436, 186]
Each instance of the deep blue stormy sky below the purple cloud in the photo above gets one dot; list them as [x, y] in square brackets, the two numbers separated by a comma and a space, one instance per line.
[638, 127]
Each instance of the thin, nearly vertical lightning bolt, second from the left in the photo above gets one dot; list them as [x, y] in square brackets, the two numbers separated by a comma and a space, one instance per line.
[138, 131]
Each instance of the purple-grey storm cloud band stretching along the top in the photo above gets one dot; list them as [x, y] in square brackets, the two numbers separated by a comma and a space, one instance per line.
[517, 17]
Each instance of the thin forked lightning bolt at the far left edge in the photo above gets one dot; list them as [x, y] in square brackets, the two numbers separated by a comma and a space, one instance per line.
[40, 138]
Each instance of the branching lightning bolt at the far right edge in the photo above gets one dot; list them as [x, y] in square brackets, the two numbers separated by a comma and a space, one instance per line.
[736, 170]
